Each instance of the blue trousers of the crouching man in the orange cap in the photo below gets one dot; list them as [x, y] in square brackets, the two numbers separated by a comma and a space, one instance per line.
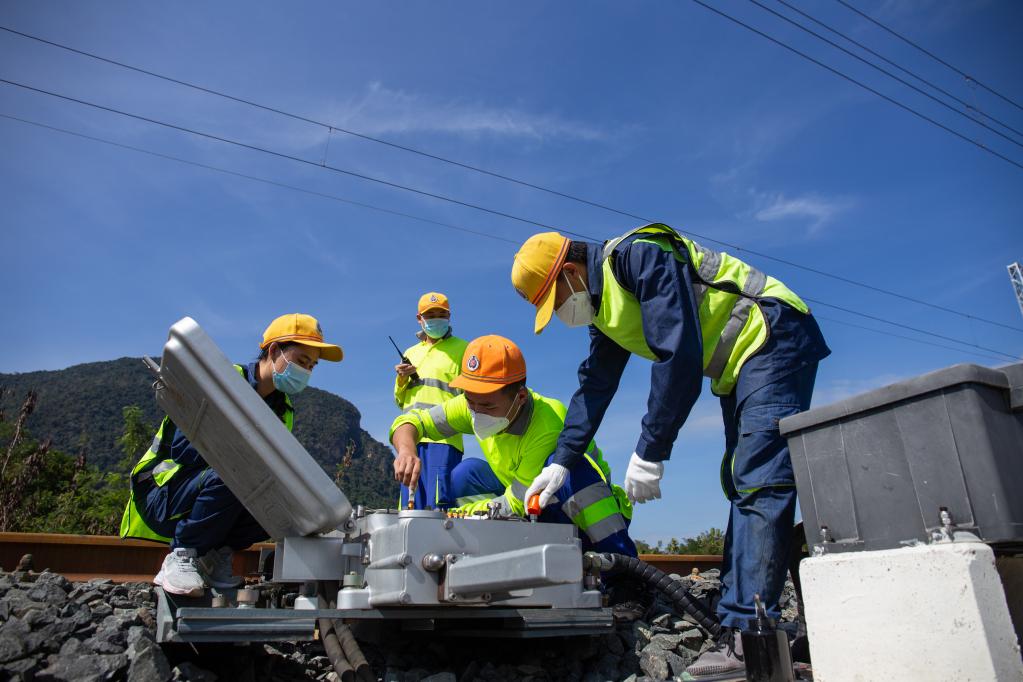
[474, 477]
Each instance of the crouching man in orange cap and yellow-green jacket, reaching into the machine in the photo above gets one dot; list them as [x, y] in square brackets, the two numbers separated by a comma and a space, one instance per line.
[518, 432]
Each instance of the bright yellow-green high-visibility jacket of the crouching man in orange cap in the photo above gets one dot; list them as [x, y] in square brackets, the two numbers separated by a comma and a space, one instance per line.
[516, 461]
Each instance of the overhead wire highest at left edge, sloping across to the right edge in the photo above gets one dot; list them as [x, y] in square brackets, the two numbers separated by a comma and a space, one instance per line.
[334, 128]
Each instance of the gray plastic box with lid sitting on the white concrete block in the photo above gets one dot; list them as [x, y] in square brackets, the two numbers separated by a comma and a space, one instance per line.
[877, 470]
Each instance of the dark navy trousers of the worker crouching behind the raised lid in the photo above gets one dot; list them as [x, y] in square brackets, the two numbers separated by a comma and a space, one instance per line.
[198, 512]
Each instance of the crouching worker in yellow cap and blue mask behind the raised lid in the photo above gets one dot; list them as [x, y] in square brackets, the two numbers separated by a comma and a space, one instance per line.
[176, 498]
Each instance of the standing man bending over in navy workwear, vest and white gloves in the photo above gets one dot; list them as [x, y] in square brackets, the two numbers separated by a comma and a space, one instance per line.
[694, 313]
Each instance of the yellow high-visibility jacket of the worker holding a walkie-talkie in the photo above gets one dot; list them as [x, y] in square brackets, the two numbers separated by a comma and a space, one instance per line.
[437, 365]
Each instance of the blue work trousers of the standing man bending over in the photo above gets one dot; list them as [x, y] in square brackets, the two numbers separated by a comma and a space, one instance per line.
[758, 478]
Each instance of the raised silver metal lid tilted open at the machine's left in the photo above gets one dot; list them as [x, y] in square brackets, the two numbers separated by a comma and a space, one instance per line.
[239, 435]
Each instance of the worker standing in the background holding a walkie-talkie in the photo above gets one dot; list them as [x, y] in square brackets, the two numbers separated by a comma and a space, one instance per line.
[423, 378]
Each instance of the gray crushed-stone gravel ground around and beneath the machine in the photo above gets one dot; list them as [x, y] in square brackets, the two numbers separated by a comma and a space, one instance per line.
[52, 629]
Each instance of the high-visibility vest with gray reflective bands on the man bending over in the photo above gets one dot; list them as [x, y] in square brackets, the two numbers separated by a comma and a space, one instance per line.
[727, 292]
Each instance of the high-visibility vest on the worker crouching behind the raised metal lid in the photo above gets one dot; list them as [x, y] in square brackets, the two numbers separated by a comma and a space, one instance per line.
[158, 469]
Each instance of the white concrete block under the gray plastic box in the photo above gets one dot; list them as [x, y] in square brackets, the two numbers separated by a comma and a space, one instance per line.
[926, 613]
